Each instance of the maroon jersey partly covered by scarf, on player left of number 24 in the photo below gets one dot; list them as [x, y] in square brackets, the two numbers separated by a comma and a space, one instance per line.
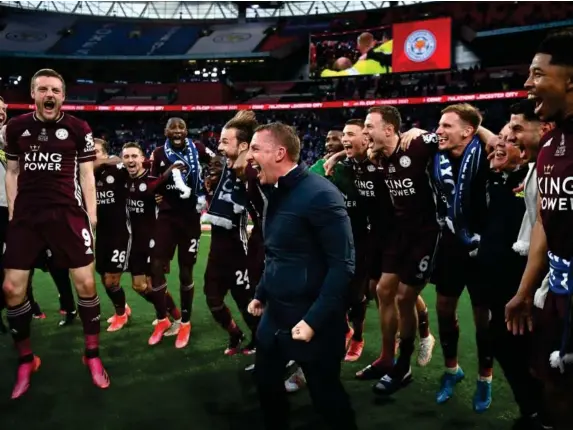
[171, 195]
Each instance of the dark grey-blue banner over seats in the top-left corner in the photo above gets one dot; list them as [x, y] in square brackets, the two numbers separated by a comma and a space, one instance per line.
[31, 33]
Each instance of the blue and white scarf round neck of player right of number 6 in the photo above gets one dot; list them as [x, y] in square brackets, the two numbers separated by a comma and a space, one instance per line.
[458, 192]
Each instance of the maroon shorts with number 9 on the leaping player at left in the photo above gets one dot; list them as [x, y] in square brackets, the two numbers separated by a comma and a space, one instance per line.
[65, 231]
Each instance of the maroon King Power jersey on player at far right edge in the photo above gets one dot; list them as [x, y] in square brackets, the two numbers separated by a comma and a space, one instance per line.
[555, 183]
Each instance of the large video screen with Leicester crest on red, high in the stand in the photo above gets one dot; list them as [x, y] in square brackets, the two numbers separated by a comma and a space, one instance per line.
[400, 48]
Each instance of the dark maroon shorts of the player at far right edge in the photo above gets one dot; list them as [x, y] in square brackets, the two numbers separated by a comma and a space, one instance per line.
[548, 326]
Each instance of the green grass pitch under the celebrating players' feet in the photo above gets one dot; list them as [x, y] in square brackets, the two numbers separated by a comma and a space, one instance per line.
[199, 388]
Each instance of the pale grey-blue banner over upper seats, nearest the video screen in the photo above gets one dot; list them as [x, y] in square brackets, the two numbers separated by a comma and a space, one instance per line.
[230, 40]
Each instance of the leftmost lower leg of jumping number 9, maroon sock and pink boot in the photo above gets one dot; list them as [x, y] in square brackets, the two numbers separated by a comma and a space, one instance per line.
[19, 313]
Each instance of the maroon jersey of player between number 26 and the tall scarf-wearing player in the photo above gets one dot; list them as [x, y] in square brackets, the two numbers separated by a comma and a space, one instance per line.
[141, 207]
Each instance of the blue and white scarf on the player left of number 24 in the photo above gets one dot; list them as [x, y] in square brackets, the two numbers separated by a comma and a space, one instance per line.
[192, 181]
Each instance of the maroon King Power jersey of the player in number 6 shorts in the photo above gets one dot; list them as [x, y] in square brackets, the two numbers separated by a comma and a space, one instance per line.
[407, 174]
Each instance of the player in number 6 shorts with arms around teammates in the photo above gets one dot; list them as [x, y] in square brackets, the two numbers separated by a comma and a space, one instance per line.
[409, 252]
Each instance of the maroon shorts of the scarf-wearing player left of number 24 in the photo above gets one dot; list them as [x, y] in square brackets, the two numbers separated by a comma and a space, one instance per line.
[175, 230]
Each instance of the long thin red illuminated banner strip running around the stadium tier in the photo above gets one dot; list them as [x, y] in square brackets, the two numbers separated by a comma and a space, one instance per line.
[289, 106]
